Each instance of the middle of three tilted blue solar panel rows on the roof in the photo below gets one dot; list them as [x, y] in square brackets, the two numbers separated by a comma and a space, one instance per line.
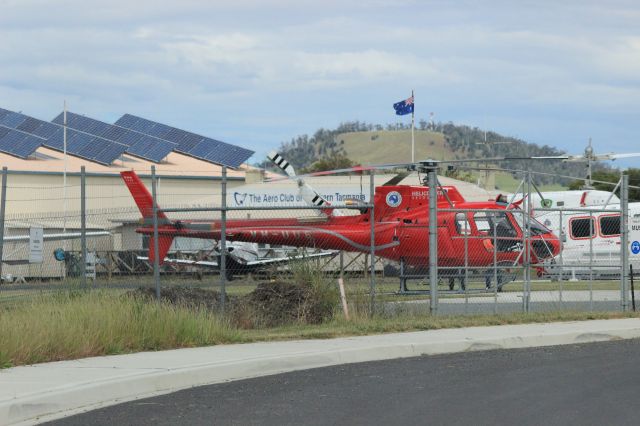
[154, 149]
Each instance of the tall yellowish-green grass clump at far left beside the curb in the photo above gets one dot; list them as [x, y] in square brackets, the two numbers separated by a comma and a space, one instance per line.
[74, 324]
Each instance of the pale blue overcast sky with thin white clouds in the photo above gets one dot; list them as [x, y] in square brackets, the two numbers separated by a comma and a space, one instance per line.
[256, 73]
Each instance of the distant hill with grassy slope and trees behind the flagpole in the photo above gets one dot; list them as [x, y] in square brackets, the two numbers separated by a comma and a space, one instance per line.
[362, 143]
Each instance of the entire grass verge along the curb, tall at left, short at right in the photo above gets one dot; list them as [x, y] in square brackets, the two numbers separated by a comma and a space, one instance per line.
[77, 324]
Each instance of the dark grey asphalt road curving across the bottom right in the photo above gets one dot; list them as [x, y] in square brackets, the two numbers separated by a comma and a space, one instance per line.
[591, 384]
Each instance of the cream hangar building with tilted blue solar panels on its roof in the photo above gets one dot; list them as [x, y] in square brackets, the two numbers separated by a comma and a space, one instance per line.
[188, 167]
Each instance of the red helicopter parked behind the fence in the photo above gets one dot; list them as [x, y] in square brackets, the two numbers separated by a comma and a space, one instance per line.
[491, 231]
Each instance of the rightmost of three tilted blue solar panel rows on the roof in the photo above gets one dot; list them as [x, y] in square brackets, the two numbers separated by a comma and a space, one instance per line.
[201, 147]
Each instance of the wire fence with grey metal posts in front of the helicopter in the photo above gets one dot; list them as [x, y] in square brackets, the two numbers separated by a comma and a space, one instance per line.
[389, 247]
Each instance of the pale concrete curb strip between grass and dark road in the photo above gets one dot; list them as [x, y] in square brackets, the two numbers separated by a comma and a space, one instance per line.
[33, 394]
